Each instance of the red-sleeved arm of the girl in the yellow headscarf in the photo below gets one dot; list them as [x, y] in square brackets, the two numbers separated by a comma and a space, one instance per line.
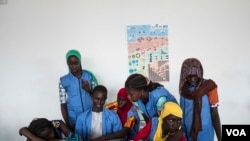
[144, 132]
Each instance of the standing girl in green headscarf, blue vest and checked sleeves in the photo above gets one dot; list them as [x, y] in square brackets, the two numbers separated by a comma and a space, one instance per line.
[75, 89]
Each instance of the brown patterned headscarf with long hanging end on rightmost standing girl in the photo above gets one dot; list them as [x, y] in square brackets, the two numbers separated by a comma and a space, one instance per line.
[192, 66]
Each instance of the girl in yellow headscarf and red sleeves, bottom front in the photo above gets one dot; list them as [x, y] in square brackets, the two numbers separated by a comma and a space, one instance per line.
[167, 127]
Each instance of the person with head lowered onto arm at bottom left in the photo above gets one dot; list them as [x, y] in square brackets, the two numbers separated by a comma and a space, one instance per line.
[41, 129]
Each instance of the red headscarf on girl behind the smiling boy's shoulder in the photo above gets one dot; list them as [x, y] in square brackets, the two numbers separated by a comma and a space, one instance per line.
[122, 112]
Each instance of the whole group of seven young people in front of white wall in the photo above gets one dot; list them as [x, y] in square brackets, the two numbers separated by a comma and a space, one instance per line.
[86, 115]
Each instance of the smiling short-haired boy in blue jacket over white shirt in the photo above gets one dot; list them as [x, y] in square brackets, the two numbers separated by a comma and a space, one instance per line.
[97, 121]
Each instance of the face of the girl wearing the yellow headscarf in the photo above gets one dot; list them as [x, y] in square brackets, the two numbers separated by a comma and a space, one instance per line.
[171, 123]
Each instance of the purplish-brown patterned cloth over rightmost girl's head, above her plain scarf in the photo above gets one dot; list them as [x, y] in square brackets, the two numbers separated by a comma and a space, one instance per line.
[190, 66]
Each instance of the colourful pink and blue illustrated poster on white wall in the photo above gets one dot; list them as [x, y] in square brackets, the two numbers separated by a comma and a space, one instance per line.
[148, 51]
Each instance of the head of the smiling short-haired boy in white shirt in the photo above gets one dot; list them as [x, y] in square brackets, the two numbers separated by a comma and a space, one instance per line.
[99, 97]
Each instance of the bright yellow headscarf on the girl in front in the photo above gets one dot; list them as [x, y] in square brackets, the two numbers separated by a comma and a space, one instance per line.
[168, 108]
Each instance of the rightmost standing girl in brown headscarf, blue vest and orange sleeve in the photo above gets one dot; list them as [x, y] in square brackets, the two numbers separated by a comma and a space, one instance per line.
[199, 101]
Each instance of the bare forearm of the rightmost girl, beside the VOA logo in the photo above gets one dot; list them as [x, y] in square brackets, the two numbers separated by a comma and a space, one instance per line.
[216, 122]
